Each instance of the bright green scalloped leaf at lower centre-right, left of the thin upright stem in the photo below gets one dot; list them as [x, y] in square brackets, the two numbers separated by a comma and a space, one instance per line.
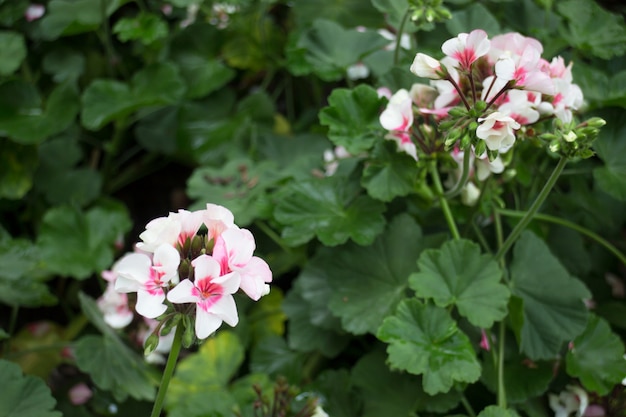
[424, 340]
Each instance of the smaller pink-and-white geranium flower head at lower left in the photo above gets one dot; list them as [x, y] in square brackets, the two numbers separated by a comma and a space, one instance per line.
[186, 268]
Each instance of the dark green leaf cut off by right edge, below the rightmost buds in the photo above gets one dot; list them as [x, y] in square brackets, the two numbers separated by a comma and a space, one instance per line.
[611, 148]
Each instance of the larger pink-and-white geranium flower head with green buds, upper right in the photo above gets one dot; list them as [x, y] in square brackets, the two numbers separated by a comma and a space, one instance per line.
[481, 96]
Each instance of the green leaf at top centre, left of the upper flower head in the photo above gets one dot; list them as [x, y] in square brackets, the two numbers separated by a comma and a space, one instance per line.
[331, 49]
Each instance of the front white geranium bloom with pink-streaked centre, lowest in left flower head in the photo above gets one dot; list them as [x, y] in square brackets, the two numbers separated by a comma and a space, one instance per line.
[212, 294]
